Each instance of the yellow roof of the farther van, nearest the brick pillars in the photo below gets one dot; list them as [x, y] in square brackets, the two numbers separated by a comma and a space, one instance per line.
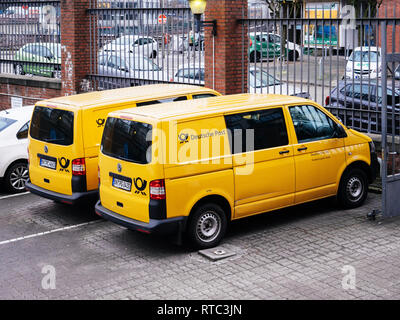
[115, 96]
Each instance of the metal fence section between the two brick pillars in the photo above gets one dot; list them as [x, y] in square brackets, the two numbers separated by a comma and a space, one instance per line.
[142, 42]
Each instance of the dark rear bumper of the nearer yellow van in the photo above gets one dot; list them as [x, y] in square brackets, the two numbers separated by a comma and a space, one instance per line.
[162, 226]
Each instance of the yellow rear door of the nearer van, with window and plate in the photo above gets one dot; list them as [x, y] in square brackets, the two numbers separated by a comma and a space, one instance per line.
[128, 167]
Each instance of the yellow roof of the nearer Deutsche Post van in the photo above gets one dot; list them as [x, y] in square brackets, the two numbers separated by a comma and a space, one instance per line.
[200, 107]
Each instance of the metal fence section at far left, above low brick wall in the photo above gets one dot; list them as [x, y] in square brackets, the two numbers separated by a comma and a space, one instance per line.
[30, 38]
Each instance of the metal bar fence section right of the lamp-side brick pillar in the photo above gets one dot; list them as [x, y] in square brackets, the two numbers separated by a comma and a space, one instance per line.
[330, 53]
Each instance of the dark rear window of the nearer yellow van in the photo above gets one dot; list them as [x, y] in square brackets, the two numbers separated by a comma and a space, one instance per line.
[127, 140]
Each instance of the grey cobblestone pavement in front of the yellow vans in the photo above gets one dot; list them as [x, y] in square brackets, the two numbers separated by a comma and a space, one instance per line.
[296, 253]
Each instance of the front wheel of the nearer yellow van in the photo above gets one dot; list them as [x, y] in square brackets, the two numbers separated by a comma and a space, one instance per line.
[353, 188]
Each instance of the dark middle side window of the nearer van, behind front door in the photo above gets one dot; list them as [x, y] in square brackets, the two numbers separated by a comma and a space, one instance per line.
[268, 127]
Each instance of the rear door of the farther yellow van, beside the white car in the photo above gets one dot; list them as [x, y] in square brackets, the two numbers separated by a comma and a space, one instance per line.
[54, 145]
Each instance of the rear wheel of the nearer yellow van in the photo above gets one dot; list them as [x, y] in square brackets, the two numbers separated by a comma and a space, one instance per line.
[207, 226]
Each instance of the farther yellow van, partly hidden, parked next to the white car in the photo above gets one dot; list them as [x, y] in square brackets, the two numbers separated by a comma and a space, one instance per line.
[65, 135]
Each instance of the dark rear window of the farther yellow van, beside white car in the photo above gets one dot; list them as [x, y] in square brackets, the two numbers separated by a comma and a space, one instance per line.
[52, 125]
